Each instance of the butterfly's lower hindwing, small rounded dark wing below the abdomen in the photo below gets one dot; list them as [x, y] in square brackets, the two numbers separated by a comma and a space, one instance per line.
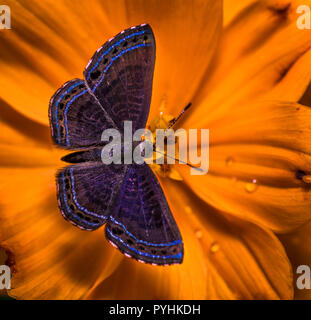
[86, 192]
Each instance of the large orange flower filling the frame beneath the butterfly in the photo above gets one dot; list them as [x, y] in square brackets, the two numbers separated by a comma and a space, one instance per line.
[244, 81]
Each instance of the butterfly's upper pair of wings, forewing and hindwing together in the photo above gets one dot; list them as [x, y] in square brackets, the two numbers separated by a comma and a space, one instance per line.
[118, 87]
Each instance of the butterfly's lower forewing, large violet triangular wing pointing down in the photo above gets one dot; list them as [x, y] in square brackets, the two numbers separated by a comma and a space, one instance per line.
[142, 224]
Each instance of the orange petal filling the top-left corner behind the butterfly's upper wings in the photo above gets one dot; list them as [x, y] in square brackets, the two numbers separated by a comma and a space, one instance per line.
[41, 52]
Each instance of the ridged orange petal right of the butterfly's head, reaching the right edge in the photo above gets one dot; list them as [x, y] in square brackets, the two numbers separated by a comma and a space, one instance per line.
[269, 142]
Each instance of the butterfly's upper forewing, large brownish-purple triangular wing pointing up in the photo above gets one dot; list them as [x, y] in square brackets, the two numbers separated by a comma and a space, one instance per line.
[120, 75]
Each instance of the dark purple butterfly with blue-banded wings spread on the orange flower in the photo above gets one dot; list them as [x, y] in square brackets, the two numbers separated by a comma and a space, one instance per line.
[127, 199]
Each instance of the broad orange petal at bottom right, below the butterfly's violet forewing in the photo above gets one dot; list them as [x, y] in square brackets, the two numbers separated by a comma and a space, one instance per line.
[224, 259]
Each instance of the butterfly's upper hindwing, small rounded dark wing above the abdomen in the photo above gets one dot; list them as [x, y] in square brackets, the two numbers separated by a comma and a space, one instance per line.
[76, 119]
